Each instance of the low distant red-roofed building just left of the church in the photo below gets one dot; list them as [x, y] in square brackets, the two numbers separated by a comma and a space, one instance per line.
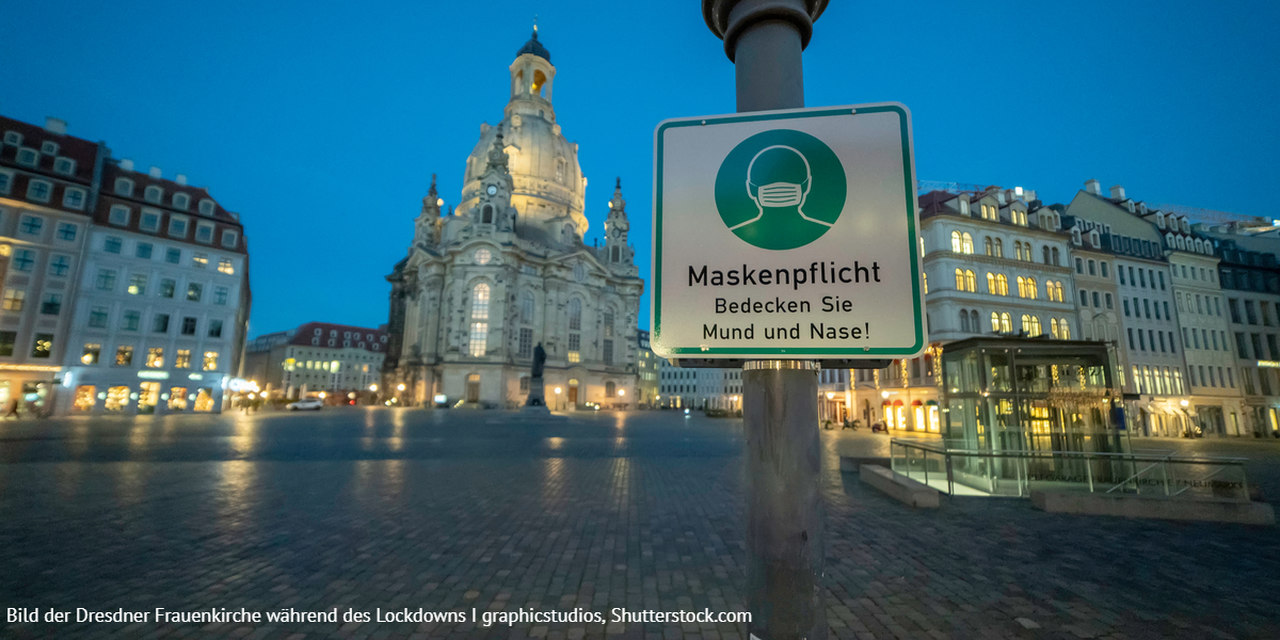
[342, 362]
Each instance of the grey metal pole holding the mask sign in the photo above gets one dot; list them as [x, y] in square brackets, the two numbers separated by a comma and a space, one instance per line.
[785, 531]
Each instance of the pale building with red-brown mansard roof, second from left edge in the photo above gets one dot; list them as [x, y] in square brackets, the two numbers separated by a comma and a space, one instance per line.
[162, 314]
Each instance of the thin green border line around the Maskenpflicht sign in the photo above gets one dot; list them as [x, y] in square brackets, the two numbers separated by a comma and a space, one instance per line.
[908, 188]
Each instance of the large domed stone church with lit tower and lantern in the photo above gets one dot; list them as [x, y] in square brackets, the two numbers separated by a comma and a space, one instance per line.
[508, 271]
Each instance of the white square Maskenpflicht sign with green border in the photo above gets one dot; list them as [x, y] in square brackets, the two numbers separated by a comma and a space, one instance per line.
[788, 235]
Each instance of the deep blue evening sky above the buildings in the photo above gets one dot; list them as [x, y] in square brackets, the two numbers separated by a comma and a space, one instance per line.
[322, 122]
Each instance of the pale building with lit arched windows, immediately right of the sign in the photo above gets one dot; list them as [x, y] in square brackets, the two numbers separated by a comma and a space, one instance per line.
[995, 264]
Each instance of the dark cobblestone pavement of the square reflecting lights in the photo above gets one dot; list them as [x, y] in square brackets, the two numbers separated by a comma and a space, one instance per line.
[451, 511]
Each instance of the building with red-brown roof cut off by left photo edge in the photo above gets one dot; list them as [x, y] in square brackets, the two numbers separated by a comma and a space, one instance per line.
[47, 191]
